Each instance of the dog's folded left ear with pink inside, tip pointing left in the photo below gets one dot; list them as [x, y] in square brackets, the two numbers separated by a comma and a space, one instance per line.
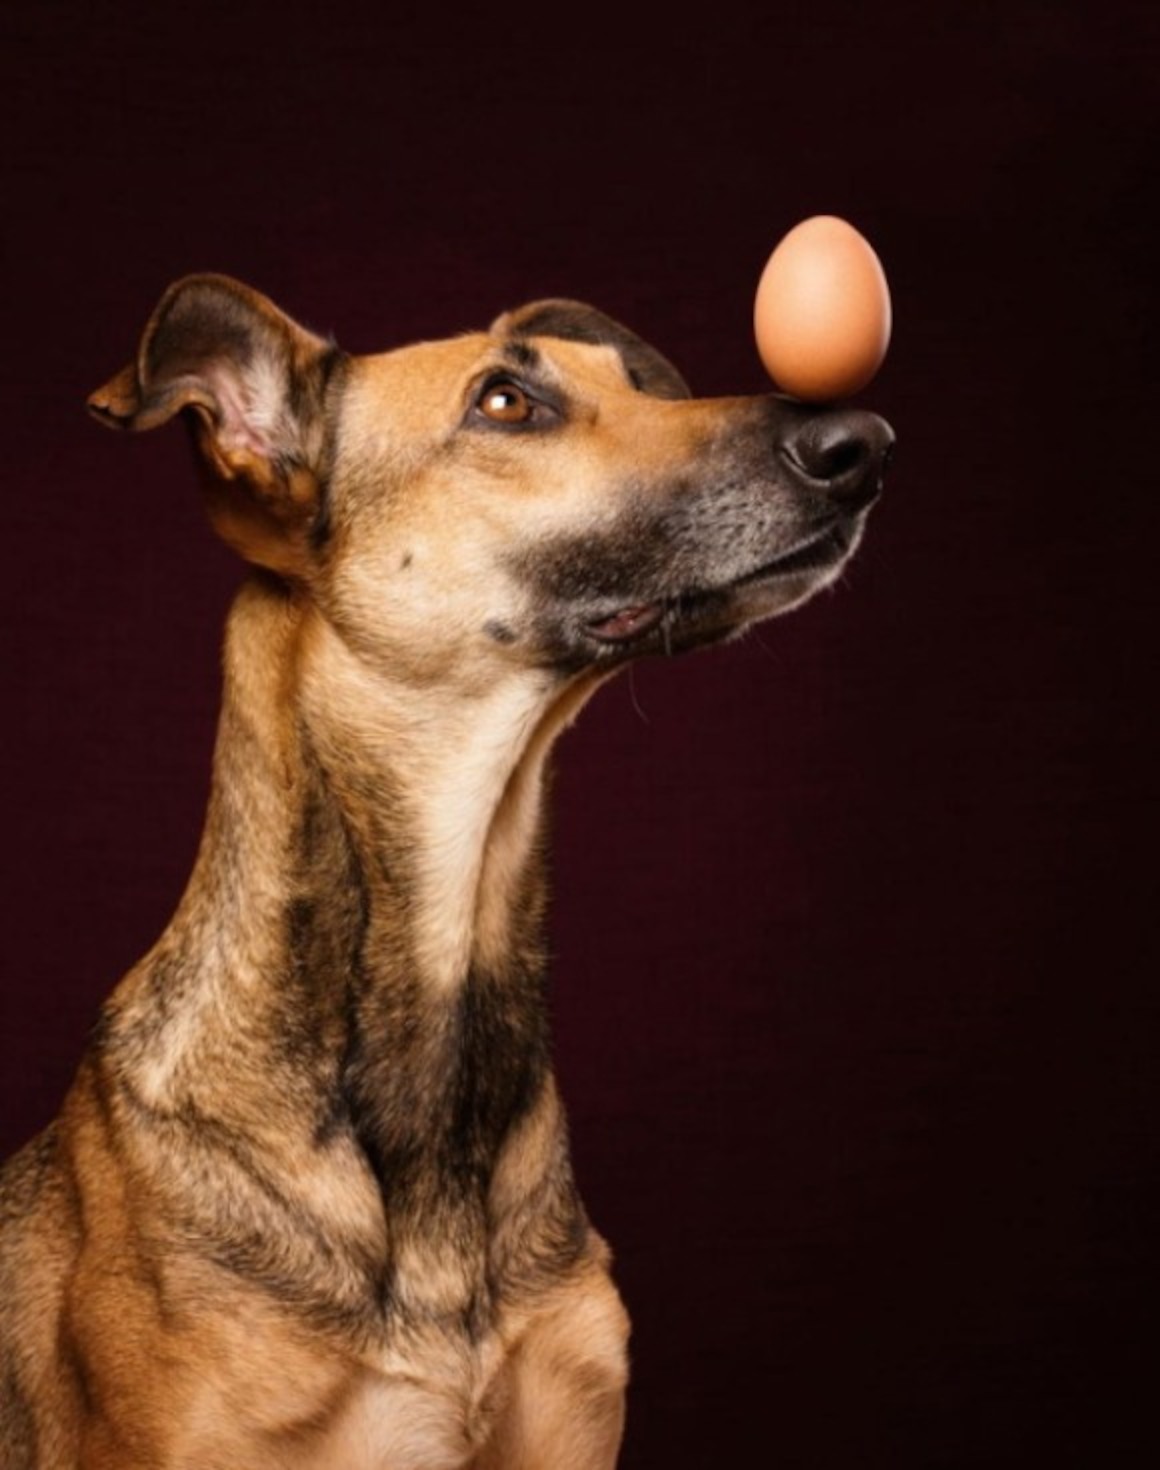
[255, 384]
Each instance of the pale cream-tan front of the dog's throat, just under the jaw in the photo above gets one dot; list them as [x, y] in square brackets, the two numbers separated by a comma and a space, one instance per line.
[442, 792]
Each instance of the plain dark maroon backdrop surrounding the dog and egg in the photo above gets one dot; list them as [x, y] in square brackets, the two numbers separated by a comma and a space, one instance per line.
[856, 980]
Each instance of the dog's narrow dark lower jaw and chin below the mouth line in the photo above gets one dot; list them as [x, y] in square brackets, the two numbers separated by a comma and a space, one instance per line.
[709, 614]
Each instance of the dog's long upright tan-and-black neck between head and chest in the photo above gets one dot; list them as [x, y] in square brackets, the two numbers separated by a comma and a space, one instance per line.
[364, 924]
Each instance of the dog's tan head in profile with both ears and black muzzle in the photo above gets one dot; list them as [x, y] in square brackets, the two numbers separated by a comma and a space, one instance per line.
[543, 495]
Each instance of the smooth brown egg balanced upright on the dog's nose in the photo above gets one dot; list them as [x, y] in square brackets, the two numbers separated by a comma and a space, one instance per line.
[823, 315]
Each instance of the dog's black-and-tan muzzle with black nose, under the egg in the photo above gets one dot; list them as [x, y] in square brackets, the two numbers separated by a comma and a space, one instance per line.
[765, 515]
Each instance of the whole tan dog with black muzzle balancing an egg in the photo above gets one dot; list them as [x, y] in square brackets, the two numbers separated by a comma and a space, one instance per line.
[308, 1205]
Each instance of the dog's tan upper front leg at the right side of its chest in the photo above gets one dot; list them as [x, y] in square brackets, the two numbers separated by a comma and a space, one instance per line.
[564, 1406]
